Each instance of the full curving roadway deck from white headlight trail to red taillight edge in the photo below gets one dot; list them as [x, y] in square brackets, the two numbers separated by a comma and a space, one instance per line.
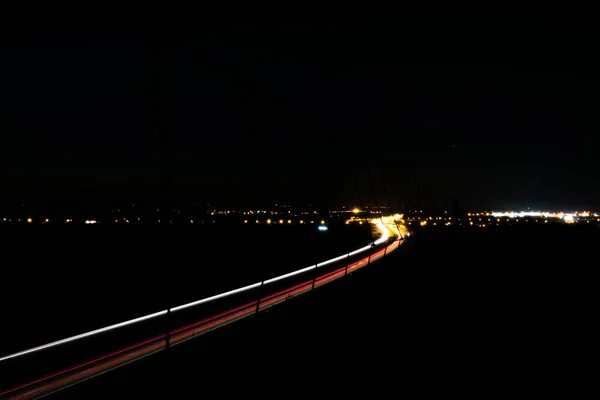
[235, 305]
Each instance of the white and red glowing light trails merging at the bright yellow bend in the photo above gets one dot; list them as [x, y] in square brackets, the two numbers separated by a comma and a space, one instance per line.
[79, 373]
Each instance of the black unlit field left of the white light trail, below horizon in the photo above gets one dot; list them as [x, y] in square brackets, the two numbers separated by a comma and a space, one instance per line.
[59, 281]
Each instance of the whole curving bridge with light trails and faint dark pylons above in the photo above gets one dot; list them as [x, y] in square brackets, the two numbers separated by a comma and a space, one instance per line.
[51, 367]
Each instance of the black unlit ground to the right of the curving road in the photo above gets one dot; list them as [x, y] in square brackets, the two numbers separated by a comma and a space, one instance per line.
[470, 311]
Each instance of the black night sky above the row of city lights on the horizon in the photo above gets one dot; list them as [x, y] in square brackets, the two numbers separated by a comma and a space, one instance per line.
[292, 114]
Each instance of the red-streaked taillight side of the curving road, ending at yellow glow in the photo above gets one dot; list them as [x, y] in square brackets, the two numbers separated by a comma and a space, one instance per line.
[100, 365]
